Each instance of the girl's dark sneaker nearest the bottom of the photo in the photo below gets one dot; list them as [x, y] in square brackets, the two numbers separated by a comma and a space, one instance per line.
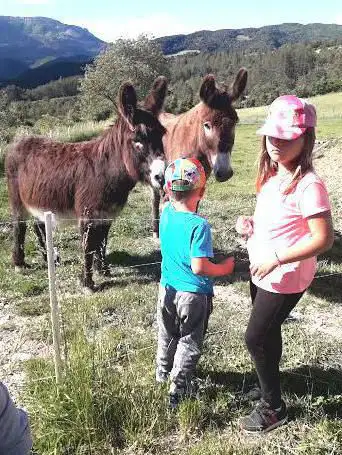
[263, 418]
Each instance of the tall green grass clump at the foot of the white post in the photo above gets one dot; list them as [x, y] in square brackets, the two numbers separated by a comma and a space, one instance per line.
[107, 399]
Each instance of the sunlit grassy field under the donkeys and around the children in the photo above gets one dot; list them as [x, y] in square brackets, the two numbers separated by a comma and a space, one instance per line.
[108, 401]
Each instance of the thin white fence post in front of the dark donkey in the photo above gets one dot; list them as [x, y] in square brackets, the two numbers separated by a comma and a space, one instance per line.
[56, 334]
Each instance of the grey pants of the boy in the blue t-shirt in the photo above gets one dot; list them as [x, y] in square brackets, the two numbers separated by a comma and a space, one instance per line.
[182, 323]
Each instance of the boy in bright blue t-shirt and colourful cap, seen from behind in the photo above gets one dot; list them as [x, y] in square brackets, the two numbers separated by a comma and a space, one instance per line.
[185, 296]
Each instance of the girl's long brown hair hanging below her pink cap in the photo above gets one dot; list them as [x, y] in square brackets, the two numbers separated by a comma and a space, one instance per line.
[267, 167]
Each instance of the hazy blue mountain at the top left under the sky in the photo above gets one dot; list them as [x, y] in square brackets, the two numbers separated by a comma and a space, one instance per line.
[31, 39]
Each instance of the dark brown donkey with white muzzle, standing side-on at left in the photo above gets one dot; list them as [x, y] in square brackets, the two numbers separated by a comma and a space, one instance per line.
[89, 181]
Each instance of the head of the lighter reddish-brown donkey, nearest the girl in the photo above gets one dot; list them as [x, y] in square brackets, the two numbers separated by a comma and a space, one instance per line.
[218, 118]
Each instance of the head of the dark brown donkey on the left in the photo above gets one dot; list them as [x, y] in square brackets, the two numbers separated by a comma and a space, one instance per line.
[148, 161]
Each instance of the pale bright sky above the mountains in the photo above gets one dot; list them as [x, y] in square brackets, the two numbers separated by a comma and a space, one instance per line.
[112, 19]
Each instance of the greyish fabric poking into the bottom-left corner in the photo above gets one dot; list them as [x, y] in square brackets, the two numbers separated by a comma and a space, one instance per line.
[15, 437]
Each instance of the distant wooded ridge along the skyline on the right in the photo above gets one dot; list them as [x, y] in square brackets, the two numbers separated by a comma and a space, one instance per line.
[268, 37]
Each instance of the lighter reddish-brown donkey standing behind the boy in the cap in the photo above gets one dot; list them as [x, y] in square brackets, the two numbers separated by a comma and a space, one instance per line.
[206, 131]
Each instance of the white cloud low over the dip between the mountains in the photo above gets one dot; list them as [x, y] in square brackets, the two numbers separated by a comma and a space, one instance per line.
[155, 25]
